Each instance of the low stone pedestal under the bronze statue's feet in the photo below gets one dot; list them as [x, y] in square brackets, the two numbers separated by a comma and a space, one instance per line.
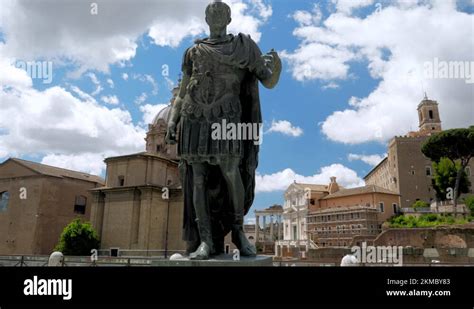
[223, 260]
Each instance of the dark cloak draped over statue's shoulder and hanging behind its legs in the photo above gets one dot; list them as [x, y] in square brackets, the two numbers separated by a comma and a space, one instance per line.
[246, 56]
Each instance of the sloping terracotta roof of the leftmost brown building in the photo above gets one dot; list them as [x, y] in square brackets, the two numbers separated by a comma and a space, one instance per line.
[49, 170]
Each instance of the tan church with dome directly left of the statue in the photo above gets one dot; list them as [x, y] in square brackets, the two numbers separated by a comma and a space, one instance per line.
[139, 211]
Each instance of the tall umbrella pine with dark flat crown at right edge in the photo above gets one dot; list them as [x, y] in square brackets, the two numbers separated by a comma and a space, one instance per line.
[454, 144]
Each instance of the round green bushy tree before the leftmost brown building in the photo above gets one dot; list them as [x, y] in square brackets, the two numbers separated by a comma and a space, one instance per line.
[78, 238]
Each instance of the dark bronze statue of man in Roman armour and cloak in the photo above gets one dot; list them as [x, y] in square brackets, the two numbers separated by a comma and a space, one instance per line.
[219, 85]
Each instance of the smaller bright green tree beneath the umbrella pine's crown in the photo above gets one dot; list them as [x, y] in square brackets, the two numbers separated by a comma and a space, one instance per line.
[445, 173]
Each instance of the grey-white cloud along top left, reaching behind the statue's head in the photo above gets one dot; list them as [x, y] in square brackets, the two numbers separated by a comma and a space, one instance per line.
[66, 30]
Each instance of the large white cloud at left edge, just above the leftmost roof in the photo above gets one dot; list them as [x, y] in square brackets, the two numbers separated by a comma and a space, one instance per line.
[60, 126]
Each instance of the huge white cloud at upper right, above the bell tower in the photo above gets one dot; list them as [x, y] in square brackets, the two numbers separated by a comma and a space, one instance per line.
[393, 42]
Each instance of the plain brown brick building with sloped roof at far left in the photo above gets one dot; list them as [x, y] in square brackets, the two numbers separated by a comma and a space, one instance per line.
[37, 201]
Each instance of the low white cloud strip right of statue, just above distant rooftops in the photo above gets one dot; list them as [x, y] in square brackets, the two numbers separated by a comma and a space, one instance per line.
[280, 181]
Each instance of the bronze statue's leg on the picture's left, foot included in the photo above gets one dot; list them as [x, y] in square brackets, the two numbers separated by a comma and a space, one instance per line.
[202, 212]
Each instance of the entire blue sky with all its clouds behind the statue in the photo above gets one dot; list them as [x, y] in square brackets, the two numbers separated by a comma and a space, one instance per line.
[355, 90]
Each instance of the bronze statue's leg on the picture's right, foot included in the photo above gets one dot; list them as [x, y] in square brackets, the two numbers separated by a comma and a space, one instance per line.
[230, 171]
